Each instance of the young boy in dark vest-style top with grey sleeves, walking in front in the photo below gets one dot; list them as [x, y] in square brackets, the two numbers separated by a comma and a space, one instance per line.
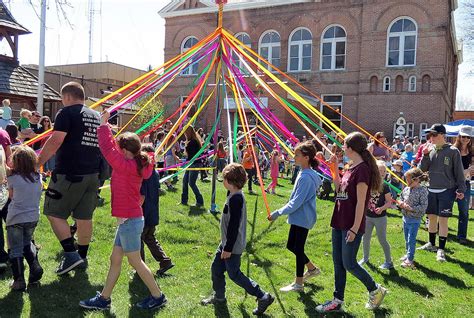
[233, 241]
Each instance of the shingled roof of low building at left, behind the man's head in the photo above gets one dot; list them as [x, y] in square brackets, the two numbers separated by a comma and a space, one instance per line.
[16, 80]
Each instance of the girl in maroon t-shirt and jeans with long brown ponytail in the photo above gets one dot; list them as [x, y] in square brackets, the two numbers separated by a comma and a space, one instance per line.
[348, 220]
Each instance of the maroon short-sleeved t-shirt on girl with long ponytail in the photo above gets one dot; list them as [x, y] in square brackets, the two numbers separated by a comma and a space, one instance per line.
[346, 199]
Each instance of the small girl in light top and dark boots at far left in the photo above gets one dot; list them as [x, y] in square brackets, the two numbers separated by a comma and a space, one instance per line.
[25, 189]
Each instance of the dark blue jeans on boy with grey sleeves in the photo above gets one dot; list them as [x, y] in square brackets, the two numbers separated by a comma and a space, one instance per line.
[232, 267]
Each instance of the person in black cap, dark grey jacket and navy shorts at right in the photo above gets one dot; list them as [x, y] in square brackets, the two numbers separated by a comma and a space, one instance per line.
[447, 183]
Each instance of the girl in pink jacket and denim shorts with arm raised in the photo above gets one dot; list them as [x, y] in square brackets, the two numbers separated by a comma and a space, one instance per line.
[129, 167]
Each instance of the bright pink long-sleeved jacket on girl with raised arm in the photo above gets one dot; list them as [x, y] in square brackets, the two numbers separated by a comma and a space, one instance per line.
[125, 182]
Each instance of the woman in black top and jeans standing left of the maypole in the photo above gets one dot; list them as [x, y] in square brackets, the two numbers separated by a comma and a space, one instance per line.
[192, 146]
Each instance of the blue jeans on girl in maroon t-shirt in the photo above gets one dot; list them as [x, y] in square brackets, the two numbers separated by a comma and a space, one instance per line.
[344, 256]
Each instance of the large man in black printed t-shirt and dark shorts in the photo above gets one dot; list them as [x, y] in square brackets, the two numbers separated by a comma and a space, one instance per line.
[74, 182]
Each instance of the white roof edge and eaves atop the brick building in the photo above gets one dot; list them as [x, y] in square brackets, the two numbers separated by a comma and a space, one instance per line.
[174, 8]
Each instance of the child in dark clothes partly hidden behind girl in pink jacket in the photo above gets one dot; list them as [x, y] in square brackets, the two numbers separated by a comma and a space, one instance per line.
[150, 196]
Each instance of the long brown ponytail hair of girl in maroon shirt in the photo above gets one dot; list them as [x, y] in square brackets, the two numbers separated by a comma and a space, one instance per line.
[358, 143]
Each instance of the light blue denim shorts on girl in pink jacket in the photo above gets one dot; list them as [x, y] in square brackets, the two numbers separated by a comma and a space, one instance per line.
[128, 235]
